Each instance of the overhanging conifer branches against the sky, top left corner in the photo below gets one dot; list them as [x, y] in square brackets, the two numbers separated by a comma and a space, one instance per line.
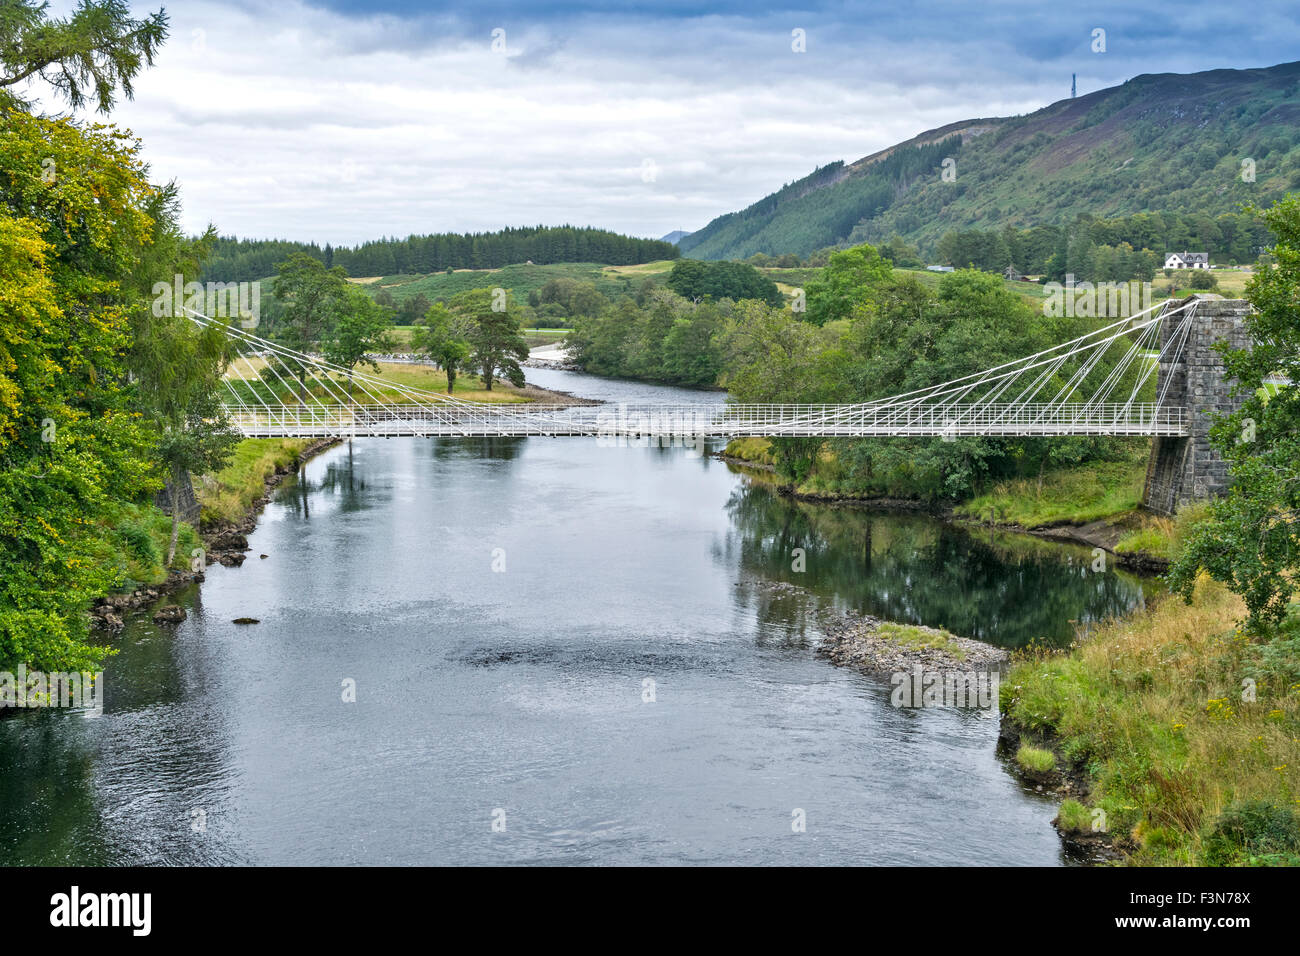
[89, 55]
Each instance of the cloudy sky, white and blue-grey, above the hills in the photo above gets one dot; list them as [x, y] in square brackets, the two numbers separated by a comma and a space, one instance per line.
[344, 122]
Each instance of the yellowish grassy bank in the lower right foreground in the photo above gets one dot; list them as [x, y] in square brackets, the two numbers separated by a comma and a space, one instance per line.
[1186, 729]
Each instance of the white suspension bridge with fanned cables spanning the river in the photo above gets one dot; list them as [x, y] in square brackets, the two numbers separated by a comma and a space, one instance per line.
[1107, 383]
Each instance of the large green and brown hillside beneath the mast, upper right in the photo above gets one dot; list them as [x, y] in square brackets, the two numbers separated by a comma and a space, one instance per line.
[1160, 142]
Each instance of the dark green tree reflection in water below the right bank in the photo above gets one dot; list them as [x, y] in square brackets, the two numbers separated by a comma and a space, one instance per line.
[915, 569]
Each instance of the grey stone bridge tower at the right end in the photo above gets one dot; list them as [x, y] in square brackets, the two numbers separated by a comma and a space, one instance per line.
[1190, 469]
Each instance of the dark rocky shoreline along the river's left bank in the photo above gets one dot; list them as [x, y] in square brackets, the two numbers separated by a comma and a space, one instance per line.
[226, 544]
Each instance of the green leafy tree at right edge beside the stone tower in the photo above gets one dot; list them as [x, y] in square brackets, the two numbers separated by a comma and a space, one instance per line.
[1251, 538]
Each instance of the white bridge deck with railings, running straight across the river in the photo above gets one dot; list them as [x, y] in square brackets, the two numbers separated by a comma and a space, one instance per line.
[708, 421]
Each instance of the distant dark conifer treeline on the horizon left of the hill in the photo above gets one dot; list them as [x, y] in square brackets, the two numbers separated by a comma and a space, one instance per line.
[240, 261]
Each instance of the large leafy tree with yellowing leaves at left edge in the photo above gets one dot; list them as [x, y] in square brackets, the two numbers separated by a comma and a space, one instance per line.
[71, 448]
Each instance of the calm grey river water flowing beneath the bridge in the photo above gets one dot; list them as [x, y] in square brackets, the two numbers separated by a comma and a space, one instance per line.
[561, 654]
